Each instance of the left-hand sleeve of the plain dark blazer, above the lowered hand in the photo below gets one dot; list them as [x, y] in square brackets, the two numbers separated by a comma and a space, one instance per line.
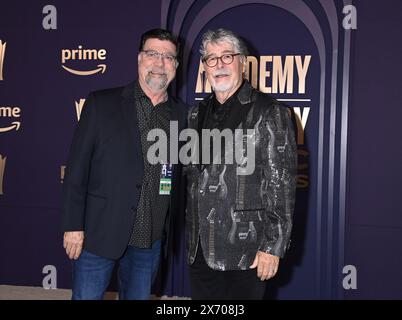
[77, 171]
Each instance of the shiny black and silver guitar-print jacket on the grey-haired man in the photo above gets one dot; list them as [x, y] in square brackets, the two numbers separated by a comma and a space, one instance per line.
[231, 215]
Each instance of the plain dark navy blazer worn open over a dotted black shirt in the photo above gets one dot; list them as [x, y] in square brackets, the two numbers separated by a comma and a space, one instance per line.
[103, 177]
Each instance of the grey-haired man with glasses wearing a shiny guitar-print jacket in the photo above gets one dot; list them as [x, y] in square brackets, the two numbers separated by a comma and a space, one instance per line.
[238, 223]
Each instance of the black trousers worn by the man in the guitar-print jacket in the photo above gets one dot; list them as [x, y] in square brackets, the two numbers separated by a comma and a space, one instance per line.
[210, 284]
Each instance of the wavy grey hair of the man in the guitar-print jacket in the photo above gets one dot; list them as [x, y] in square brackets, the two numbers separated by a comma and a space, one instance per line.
[222, 35]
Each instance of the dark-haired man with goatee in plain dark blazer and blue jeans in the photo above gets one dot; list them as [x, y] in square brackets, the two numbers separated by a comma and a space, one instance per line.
[115, 202]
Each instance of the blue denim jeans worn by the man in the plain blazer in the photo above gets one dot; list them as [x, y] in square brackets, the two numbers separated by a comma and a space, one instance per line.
[137, 271]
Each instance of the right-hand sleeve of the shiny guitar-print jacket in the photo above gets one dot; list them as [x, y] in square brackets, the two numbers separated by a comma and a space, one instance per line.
[281, 176]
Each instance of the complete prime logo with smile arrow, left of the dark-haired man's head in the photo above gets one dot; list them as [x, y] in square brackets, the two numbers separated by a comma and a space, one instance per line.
[83, 54]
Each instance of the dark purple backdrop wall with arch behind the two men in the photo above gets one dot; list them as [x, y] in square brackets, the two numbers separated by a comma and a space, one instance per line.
[347, 215]
